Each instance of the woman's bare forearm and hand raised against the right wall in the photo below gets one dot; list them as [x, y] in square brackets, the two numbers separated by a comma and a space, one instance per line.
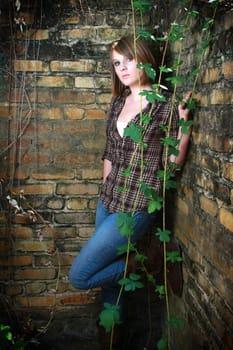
[183, 138]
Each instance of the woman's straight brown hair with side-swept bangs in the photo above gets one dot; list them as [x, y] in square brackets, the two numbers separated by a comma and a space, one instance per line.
[138, 50]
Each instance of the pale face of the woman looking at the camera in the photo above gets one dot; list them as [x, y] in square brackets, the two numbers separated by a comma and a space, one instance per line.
[126, 69]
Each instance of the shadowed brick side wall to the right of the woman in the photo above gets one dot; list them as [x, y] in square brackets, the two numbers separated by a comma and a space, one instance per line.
[202, 213]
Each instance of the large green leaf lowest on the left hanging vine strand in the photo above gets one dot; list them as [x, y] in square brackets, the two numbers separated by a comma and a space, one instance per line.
[109, 316]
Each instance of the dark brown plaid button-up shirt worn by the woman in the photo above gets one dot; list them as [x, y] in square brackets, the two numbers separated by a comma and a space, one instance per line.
[120, 150]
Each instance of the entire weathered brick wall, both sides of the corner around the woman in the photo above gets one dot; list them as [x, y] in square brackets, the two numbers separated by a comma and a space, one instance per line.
[54, 99]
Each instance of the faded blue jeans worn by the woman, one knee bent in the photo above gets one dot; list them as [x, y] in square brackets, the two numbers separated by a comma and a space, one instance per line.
[98, 263]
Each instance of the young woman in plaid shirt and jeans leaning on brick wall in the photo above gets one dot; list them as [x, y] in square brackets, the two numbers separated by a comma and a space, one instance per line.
[99, 264]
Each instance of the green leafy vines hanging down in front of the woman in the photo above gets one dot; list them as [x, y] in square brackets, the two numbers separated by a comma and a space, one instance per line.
[175, 33]
